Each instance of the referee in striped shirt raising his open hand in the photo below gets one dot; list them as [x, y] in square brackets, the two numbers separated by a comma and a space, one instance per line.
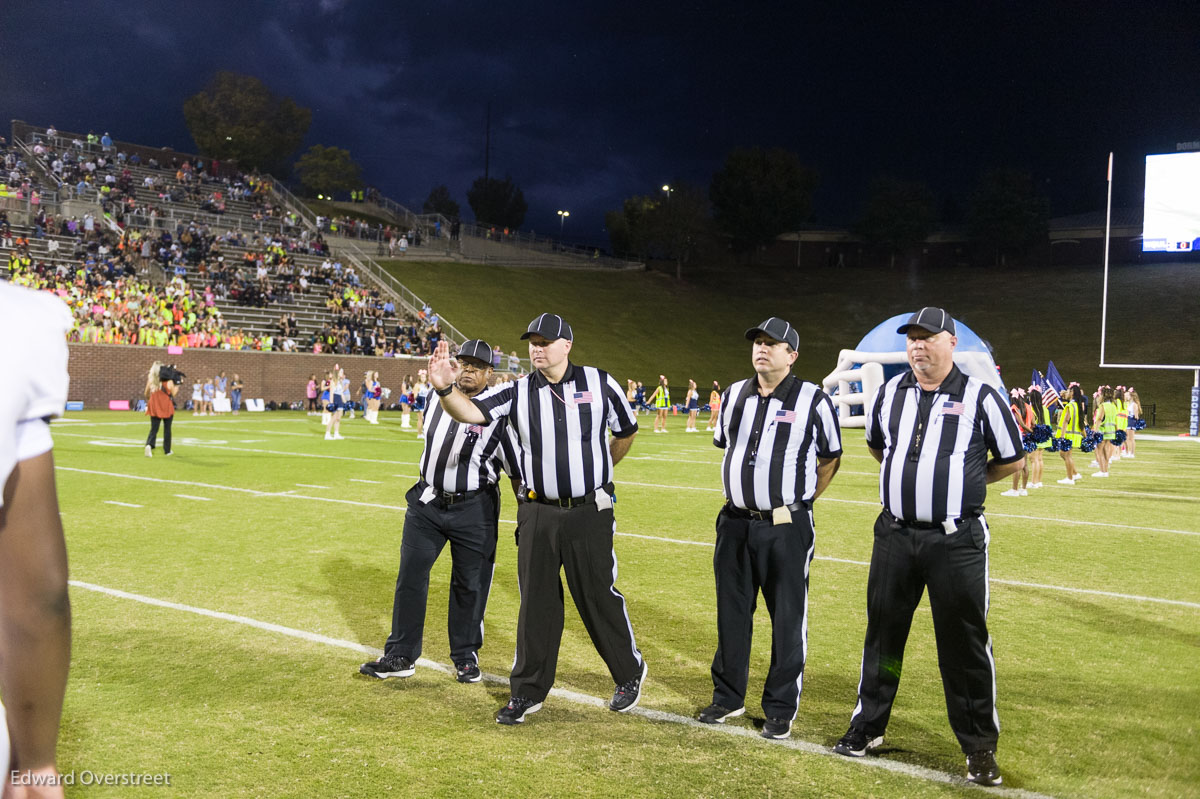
[562, 416]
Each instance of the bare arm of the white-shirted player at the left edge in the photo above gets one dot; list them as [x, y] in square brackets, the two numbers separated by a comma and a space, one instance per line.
[35, 618]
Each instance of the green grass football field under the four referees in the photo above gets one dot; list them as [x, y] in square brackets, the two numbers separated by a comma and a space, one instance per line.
[257, 521]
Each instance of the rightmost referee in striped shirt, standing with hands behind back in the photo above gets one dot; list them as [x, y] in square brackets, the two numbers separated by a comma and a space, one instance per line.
[933, 429]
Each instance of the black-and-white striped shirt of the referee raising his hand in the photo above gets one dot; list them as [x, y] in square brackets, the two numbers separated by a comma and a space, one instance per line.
[562, 428]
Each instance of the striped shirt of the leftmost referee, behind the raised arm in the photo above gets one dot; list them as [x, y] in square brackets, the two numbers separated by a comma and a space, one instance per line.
[465, 458]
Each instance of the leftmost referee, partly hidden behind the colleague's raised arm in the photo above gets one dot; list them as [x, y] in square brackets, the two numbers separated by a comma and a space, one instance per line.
[457, 501]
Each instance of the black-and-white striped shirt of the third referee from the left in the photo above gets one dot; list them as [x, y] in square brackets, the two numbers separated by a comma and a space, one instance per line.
[772, 443]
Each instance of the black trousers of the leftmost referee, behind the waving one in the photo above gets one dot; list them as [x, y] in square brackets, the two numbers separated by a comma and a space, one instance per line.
[471, 530]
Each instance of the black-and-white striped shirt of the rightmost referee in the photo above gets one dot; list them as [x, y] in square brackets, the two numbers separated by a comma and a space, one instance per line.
[937, 470]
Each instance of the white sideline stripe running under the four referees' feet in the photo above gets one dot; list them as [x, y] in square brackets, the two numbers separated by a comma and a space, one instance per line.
[809, 748]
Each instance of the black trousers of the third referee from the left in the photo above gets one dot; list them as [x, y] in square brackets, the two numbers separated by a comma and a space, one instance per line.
[754, 556]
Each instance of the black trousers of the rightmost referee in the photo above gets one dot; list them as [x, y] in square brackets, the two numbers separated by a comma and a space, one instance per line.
[955, 568]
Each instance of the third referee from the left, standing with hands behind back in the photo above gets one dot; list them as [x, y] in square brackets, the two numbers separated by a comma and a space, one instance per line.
[782, 449]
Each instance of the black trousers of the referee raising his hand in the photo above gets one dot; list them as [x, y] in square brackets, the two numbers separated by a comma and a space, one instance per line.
[577, 542]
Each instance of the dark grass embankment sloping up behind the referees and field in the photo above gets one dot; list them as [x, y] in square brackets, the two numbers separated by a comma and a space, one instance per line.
[641, 325]
